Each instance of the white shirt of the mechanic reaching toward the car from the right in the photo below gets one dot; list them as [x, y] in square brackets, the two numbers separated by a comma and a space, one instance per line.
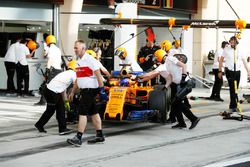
[173, 69]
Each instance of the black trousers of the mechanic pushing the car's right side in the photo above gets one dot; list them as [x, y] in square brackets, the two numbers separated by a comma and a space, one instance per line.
[178, 107]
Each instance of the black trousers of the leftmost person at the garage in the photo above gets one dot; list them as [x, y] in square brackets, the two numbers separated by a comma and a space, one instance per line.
[10, 69]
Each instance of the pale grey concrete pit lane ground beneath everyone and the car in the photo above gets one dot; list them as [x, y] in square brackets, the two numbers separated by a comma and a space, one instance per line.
[214, 142]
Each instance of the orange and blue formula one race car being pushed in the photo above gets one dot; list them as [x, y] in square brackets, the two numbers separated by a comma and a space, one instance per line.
[130, 100]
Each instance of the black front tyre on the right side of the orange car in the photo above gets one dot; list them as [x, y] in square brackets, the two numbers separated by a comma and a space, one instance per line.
[159, 100]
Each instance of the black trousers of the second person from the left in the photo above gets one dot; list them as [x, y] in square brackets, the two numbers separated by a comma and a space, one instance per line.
[22, 76]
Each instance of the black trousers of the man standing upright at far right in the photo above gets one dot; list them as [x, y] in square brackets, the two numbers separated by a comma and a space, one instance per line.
[231, 77]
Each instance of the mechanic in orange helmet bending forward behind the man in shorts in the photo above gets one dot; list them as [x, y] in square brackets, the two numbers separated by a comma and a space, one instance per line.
[53, 93]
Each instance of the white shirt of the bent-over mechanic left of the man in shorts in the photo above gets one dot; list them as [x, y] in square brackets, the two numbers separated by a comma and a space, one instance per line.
[62, 81]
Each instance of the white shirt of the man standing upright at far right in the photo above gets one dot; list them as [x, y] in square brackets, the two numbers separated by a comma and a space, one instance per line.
[228, 55]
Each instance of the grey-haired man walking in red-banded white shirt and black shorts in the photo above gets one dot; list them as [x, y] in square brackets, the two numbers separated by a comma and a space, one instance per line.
[90, 83]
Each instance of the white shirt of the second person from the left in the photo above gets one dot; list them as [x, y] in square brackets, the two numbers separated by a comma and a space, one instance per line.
[21, 52]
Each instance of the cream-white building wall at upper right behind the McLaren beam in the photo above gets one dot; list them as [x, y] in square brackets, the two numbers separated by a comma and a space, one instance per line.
[208, 39]
